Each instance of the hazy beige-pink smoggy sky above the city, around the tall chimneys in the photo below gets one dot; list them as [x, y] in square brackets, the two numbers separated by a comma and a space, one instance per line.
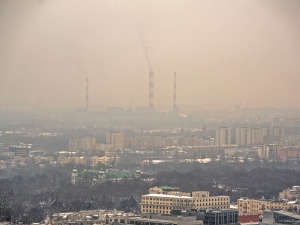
[224, 52]
